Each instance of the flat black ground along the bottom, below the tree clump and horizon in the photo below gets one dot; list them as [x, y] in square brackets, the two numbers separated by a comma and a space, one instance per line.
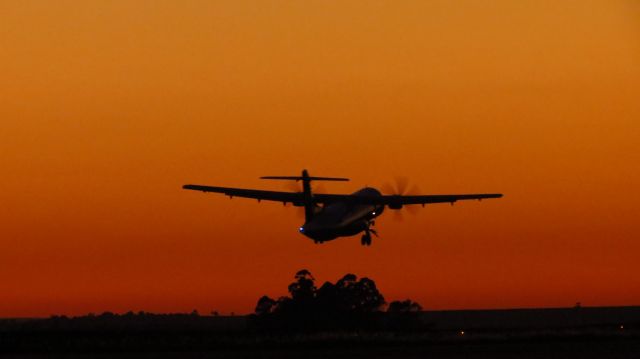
[612, 332]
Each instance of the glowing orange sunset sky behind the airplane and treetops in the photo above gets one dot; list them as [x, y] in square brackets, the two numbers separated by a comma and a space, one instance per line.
[108, 107]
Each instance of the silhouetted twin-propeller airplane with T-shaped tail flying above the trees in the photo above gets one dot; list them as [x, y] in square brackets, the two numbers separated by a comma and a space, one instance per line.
[330, 216]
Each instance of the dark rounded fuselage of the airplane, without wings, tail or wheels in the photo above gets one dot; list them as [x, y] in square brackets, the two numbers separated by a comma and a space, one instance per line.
[342, 219]
